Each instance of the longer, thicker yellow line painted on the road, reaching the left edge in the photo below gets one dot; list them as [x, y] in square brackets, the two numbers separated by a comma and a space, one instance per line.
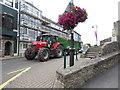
[4, 84]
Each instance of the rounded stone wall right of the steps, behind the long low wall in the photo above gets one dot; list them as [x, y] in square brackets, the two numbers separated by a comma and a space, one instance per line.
[110, 47]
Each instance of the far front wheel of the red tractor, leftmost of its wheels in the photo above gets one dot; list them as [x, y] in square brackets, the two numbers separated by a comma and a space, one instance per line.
[30, 54]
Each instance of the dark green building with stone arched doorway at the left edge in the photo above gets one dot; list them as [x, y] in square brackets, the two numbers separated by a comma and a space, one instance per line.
[9, 23]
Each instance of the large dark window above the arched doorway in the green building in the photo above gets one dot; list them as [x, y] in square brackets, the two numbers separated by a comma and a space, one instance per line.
[7, 21]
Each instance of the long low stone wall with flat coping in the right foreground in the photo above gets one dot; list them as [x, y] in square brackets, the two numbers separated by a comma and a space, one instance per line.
[77, 76]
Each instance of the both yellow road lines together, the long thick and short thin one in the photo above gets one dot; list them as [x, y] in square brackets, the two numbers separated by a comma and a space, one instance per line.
[4, 84]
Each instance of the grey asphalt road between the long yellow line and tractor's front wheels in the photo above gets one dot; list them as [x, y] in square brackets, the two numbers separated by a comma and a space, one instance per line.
[15, 64]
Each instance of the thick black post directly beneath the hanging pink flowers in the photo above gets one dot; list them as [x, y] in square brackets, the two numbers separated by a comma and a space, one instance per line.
[72, 50]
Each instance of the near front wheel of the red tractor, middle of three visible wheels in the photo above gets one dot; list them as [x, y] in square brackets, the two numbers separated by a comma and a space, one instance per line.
[43, 54]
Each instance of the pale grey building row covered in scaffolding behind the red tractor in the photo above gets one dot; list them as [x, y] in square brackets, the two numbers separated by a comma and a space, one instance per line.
[33, 24]
